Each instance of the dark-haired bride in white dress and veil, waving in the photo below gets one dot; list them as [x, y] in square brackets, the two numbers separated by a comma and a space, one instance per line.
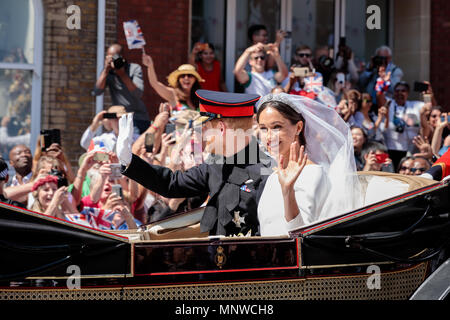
[316, 175]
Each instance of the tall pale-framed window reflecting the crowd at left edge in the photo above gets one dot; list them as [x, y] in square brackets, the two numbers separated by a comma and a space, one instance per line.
[20, 73]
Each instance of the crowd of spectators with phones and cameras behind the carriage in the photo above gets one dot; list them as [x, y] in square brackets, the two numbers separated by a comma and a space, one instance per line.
[390, 132]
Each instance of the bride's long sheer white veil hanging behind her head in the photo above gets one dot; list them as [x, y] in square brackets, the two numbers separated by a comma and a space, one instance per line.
[329, 143]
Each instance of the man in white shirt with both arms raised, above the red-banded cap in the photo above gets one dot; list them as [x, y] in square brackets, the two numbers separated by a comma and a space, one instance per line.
[258, 81]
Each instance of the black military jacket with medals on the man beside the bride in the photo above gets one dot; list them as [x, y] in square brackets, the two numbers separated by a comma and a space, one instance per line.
[234, 185]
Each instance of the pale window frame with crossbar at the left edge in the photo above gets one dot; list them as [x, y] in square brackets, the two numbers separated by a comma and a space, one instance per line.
[36, 68]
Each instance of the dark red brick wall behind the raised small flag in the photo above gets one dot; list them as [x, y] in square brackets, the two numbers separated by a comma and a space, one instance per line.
[165, 25]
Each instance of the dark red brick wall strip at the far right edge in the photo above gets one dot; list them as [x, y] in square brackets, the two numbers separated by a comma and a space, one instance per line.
[440, 49]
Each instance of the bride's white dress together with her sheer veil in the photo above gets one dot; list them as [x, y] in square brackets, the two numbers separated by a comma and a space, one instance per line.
[324, 190]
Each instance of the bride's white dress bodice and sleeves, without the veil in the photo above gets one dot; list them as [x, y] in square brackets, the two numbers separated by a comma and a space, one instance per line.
[311, 190]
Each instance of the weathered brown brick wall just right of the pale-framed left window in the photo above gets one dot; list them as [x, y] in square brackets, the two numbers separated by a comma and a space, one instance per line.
[69, 70]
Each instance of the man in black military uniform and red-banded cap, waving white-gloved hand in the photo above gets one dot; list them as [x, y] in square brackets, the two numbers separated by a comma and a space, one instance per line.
[234, 179]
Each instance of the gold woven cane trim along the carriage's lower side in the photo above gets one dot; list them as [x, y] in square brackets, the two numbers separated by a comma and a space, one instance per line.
[395, 285]
